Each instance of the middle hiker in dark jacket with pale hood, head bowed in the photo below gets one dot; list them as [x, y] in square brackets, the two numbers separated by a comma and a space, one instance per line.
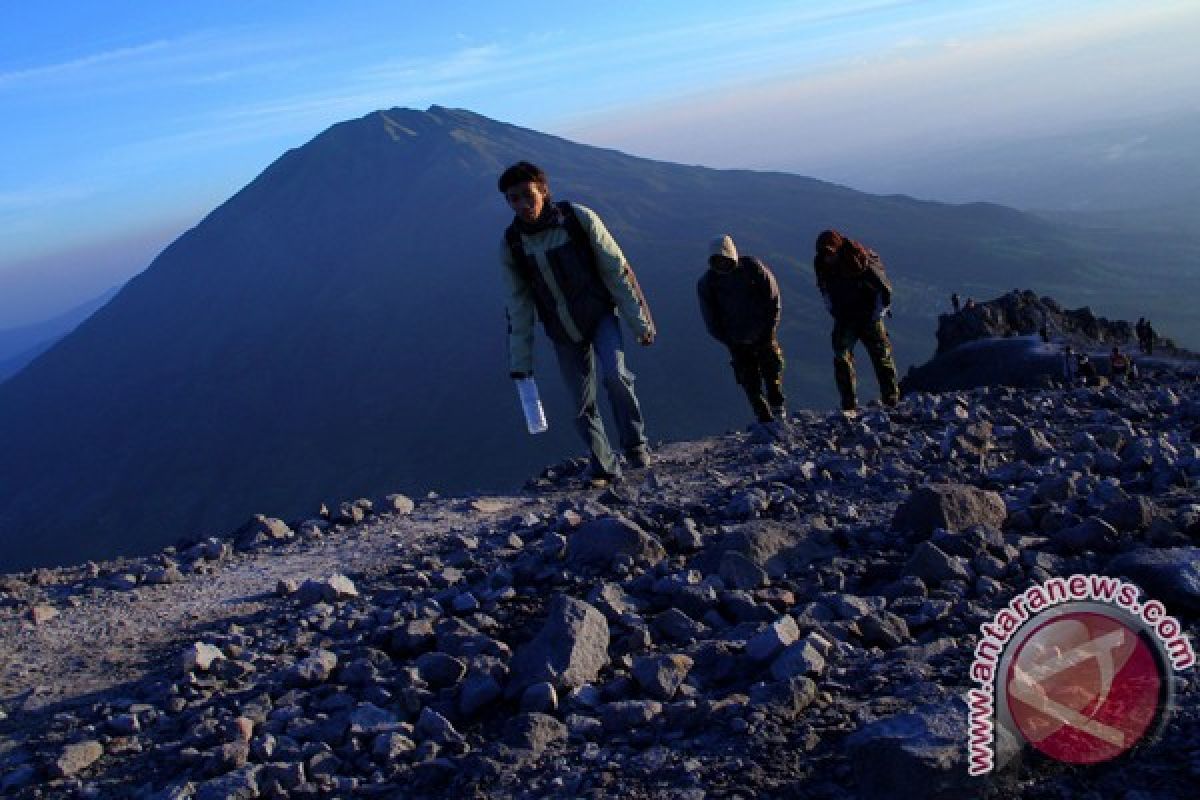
[740, 302]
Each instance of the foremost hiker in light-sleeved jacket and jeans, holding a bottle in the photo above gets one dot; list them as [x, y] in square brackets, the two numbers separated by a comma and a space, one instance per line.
[562, 266]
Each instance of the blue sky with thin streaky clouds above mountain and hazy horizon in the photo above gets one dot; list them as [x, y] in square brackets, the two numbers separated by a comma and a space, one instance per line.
[127, 122]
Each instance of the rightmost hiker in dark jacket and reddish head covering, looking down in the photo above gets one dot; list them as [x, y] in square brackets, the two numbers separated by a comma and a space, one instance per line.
[859, 297]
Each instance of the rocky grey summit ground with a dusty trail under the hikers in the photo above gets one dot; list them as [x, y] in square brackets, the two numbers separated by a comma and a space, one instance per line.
[785, 612]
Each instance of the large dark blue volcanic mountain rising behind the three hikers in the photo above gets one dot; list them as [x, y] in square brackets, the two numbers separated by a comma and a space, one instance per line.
[337, 328]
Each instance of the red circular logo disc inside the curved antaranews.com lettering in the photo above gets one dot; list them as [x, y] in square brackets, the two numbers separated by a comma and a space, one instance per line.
[1084, 688]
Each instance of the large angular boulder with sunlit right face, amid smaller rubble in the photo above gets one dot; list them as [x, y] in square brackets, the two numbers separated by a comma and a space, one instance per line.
[569, 652]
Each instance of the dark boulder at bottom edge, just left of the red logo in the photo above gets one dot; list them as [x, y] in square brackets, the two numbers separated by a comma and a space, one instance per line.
[916, 756]
